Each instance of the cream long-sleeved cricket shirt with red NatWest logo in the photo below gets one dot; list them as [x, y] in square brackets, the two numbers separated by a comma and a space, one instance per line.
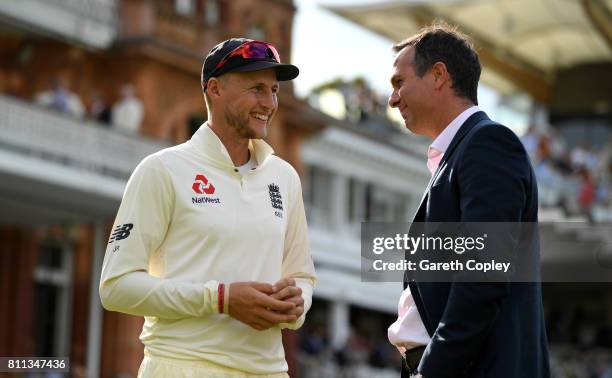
[189, 220]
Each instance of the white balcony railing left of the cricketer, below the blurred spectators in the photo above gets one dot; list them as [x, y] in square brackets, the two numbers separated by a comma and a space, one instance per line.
[82, 144]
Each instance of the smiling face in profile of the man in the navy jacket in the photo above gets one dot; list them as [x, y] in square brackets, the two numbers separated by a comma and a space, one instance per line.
[412, 95]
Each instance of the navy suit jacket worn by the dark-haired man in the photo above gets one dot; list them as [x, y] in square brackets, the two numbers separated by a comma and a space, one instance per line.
[482, 330]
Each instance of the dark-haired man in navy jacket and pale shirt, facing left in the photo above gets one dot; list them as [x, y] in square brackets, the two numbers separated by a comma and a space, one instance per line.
[480, 173]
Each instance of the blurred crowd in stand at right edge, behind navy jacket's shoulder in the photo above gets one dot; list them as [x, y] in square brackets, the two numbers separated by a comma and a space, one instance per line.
[577, 178]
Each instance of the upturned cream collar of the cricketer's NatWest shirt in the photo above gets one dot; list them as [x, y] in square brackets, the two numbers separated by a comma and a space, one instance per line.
[208, 143]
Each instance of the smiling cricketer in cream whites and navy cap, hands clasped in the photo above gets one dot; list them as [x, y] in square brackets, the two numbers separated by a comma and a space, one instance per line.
[210, 242]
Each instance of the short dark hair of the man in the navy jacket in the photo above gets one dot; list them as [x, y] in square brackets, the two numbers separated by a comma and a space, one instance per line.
[443, 43]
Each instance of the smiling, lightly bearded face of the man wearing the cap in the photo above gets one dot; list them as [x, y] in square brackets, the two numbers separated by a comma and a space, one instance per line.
[249, 102]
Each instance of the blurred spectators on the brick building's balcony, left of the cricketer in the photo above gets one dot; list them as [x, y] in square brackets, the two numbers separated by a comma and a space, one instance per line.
[125, 114]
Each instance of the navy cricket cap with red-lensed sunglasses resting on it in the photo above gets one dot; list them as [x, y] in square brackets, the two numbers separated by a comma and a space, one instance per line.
[244, 55]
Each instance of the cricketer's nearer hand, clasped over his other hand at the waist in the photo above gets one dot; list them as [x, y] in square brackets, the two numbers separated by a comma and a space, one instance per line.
[252, 304]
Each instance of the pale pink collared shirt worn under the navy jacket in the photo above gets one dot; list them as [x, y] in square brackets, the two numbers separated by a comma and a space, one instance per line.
[408, 331]
